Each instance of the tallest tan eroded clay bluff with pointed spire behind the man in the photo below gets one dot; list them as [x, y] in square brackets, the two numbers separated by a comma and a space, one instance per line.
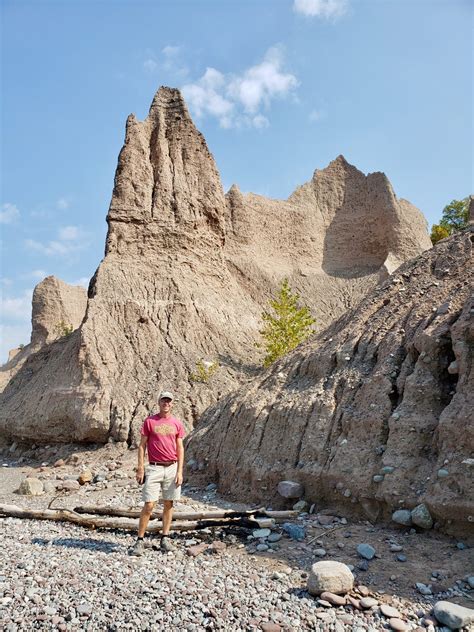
[186, 274]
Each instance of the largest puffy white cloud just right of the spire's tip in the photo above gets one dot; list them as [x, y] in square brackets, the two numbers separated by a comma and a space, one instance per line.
[237, 100]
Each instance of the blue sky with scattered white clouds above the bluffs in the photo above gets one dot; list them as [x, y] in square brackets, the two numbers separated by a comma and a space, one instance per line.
[279, 88]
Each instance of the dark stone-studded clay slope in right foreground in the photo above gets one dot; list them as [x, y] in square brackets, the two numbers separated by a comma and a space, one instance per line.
[386, 391]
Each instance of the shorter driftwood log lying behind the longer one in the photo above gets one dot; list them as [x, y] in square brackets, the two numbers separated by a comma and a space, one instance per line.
[123, 512]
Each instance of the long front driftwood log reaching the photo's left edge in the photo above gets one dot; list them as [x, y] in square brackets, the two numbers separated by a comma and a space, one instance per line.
[130, 524]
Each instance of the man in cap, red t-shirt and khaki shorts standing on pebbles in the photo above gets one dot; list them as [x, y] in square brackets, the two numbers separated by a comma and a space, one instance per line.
[162, 438]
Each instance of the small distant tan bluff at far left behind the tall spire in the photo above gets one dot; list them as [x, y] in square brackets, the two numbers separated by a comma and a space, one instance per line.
[57, 308]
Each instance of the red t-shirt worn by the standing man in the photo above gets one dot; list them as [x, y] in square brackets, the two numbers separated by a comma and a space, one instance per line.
[162, 436]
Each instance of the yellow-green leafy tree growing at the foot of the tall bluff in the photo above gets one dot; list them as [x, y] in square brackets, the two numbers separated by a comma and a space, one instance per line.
[286, 327]
